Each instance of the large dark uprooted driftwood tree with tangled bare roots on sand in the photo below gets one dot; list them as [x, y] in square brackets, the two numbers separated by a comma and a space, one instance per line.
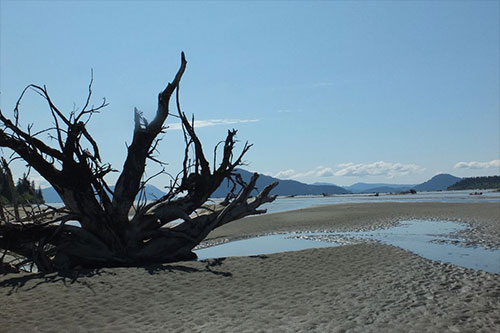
[108, 236]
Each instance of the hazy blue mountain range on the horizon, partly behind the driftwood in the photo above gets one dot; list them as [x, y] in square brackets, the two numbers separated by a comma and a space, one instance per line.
[288, 187]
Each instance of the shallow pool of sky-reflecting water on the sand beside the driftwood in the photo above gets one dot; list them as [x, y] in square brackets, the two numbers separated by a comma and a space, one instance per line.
[430, 239]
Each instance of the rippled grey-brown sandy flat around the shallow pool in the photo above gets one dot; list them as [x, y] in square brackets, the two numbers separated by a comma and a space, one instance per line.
[354, 288]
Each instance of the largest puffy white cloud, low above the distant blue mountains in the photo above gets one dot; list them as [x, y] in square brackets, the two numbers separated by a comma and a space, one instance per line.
[381, 168]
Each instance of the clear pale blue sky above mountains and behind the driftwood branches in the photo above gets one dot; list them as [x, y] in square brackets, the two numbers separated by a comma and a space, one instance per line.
[338, 92]
